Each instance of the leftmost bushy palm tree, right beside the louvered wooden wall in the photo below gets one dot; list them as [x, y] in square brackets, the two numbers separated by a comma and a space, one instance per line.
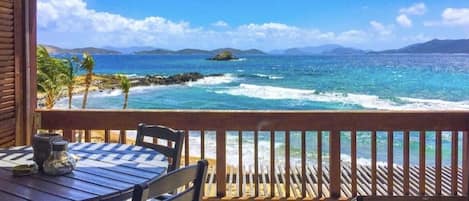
[49, 76]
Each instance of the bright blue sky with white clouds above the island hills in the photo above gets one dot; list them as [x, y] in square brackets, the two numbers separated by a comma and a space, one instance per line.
[263, 24]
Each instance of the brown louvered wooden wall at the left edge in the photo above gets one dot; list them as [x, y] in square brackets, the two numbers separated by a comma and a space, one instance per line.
[17, 35]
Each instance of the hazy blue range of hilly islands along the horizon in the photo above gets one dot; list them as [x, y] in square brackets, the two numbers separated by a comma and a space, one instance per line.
[435, 46]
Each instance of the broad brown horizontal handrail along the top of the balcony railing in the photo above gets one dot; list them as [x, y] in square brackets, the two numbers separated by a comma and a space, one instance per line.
[257, 120]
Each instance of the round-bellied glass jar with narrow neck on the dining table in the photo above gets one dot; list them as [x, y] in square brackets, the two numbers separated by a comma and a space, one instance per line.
[60, 162]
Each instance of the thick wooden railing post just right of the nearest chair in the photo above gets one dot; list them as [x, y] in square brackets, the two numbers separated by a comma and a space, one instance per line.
[221, 163]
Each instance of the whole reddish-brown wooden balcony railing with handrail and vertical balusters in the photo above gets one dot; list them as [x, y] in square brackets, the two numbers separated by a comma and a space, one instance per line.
[323, 175]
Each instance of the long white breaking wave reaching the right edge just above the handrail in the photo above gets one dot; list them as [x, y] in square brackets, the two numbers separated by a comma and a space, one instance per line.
[366, 101]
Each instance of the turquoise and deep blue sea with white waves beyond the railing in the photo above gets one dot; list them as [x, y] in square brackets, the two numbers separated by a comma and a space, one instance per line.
[376, 82]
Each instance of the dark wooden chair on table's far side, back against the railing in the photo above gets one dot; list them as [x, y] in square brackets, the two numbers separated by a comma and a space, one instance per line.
[163, 133]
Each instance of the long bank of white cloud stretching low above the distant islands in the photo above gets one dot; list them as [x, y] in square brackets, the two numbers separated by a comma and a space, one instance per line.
[70, 23]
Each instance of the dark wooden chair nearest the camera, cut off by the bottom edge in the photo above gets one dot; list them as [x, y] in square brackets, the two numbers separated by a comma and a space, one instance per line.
[159, 187]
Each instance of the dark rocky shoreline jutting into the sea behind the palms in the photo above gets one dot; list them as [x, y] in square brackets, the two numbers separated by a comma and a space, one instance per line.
[104, 82]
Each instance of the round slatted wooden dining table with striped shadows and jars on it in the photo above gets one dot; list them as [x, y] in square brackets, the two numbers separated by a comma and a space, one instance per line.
[103, 172]
